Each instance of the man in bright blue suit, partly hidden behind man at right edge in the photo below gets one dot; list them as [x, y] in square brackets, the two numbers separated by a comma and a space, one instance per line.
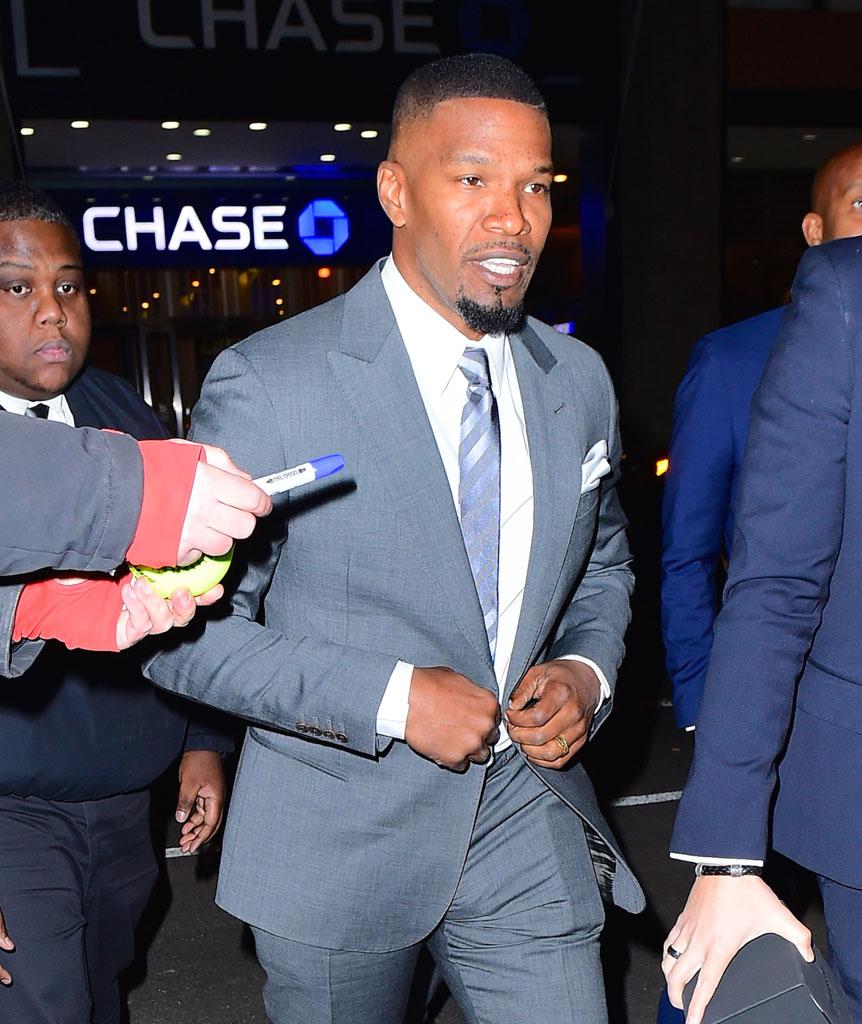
[711, 421]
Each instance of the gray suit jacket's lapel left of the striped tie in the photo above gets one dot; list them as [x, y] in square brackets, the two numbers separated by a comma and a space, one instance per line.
[375, 375]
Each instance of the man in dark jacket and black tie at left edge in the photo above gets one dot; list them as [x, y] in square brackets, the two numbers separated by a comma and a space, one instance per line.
[84, 740]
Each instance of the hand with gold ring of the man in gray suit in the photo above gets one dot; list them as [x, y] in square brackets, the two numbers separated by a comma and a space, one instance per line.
[554, 702]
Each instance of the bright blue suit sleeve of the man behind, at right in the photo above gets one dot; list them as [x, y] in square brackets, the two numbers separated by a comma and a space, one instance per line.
[696, 507]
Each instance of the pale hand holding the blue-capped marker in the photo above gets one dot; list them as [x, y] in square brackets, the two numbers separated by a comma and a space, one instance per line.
[224, 507]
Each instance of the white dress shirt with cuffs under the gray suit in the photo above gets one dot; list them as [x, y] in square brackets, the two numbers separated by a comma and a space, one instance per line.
[435, 349]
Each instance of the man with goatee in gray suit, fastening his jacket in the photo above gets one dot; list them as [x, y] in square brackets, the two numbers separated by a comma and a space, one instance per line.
[444, 621]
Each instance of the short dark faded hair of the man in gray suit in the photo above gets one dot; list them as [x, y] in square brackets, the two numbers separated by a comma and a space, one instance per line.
[462, 76]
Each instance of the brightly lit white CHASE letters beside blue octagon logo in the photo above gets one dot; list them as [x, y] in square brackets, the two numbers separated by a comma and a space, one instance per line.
[114, 229]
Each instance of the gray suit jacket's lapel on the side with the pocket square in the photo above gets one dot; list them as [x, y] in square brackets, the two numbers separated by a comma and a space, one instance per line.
[556, 433]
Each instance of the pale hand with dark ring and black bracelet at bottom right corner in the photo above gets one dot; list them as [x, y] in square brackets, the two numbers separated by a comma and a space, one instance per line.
[721, 916]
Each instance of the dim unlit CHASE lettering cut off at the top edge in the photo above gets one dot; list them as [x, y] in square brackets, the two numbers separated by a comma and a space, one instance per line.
[360, 30]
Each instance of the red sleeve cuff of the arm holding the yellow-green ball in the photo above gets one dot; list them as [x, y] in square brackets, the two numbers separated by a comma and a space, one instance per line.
[81, 616]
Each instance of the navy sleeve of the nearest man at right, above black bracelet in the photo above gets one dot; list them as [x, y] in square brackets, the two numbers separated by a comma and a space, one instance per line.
[789, 533]
